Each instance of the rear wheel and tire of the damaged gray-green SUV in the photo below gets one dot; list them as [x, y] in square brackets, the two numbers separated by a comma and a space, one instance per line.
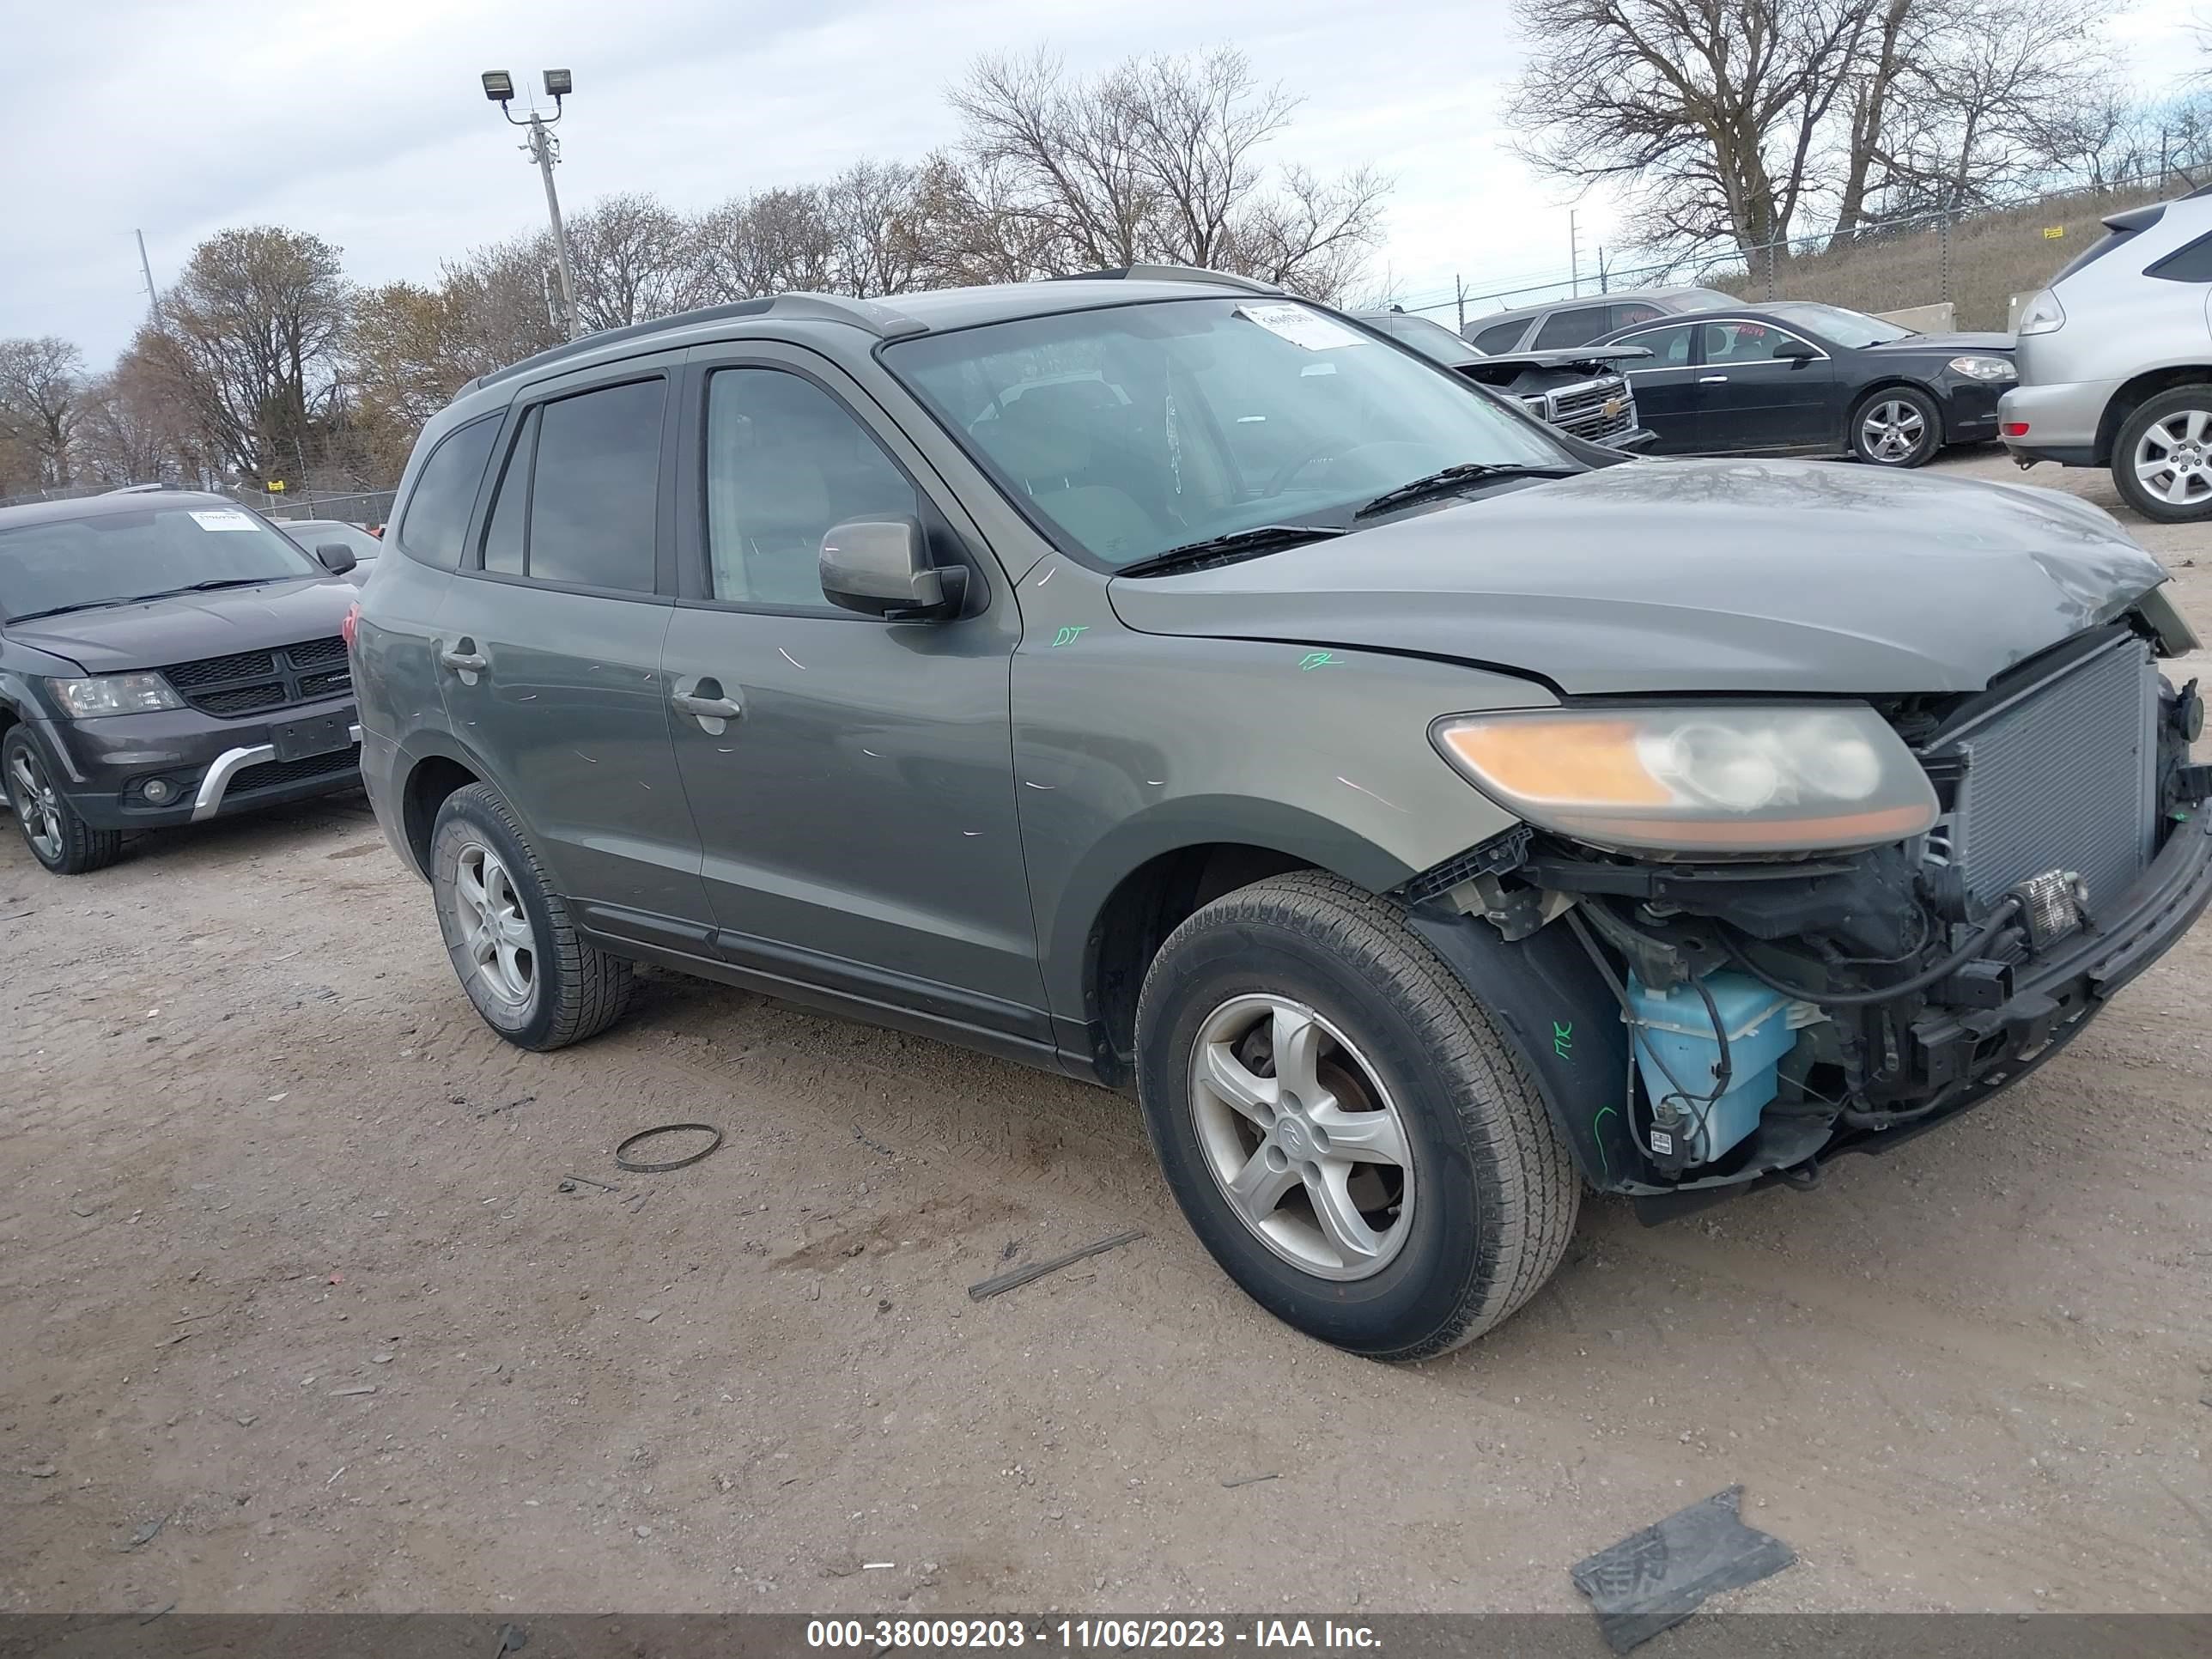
[510, 935]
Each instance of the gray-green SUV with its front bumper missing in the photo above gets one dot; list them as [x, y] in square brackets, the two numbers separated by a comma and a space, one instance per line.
[1176, 685]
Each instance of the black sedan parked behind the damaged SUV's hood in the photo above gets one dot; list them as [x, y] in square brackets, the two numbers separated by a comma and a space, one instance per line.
[1799, 379]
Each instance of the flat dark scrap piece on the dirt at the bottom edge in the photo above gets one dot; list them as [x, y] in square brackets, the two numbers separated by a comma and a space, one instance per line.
[1658, 1578]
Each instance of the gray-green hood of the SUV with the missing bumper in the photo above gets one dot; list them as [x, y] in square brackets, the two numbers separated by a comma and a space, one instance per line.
[1693, 576]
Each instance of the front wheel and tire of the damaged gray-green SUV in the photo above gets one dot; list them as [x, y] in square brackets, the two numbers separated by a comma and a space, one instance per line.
[1344, 1127]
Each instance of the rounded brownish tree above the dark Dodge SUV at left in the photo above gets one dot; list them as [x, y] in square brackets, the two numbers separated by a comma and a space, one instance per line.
[249, 346]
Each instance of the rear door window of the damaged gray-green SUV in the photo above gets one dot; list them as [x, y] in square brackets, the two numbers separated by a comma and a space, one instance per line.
[581, 497]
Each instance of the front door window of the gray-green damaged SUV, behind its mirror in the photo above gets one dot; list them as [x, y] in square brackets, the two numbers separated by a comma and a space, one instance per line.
[784, 463]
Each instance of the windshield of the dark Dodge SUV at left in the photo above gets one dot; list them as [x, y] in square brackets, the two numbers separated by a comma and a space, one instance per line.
[105, 559]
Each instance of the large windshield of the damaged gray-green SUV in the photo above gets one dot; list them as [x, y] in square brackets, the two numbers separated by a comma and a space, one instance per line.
[1147, 428]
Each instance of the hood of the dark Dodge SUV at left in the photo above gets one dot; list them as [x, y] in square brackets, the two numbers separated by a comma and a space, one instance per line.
[191, 625]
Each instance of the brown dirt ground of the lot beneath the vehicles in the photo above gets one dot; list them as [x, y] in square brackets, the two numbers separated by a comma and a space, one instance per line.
[286, 1273]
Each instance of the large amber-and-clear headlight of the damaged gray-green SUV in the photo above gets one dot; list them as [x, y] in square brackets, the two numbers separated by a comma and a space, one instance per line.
[1698, 780]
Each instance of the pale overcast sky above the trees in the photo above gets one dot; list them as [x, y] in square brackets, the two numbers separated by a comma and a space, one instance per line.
[364, 123]
